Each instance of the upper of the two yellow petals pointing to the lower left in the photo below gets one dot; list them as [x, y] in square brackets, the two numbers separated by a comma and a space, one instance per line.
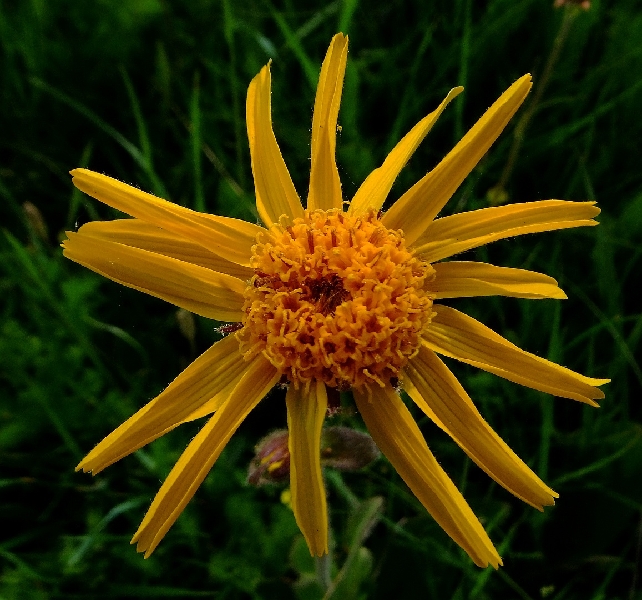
[205, 383]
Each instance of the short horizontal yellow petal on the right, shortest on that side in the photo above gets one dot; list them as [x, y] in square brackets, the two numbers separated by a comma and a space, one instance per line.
[459, 279]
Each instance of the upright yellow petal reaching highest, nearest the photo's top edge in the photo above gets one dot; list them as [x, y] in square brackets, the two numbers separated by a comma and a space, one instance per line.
[325, 185]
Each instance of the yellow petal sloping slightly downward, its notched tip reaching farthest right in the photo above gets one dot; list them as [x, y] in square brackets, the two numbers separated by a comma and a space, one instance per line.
[459, 336]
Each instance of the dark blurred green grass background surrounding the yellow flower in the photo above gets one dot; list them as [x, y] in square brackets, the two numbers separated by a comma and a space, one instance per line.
[153, 92]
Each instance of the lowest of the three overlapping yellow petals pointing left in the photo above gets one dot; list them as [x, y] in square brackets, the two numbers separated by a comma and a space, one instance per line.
[197, 289]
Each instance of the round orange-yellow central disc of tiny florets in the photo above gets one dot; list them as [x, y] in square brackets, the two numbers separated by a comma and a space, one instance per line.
[335, 298]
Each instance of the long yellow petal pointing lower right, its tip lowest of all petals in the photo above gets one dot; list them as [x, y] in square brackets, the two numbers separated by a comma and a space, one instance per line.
[398, 437]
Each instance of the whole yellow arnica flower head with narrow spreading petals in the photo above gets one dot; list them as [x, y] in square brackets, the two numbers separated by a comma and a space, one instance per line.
[334, 296]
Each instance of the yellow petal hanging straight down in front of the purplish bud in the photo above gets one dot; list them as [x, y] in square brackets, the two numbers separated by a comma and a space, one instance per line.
[306, 411]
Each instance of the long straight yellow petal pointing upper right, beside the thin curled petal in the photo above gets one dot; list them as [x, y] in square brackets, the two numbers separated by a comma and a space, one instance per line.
[416, 209]
